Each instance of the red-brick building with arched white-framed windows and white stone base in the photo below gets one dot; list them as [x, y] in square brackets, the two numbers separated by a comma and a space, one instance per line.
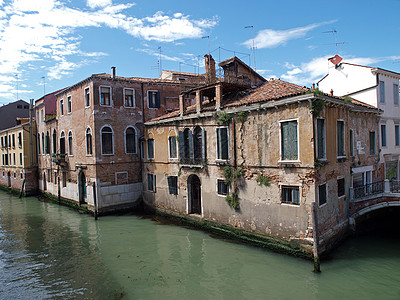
[91, 149]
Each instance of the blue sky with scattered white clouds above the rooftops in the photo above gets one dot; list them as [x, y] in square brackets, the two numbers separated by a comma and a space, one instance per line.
[47, 45]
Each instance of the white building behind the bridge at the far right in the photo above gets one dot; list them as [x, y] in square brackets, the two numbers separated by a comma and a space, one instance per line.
[379, 88]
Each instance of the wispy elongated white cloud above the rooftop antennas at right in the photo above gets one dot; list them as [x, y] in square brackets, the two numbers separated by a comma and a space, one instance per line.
[269, 38]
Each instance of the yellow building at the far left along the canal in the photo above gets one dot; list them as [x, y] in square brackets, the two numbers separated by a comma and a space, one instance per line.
[18, 157]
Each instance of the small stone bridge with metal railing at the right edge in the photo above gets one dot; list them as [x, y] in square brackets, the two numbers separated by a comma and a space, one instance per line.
[373, 196]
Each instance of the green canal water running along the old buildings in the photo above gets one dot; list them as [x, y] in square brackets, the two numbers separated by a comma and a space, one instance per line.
[52, 252]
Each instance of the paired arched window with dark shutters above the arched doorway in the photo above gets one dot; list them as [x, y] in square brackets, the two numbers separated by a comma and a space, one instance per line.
[192, 146]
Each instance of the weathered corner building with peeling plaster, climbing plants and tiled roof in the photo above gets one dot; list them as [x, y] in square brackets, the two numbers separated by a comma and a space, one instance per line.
[259, 156]
